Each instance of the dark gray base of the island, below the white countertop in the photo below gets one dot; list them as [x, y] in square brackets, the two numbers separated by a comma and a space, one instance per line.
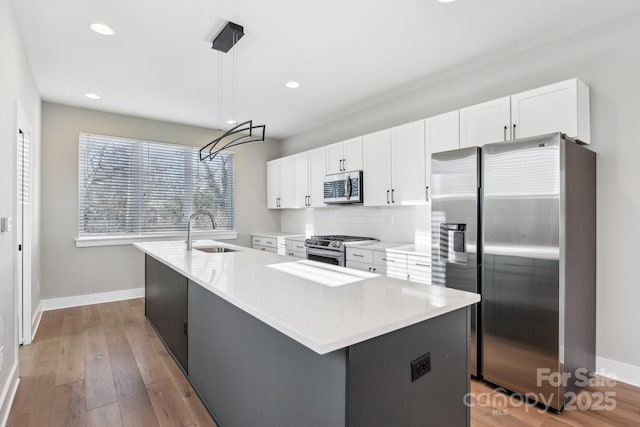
[247, 373]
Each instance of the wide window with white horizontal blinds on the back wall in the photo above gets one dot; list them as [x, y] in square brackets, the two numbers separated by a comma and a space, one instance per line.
[129, 188]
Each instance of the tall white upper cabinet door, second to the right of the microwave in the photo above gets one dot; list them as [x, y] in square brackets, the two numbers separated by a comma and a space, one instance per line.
[408, 185]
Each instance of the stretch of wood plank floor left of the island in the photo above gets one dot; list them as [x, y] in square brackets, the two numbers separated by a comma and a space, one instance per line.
[102, 365]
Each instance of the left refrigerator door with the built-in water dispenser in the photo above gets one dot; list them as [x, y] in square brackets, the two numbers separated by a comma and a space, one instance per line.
[455, 219]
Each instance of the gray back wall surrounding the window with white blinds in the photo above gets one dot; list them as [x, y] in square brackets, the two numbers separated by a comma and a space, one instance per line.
[68, 270]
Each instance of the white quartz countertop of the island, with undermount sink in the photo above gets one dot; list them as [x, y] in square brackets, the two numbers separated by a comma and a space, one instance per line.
[303, 299]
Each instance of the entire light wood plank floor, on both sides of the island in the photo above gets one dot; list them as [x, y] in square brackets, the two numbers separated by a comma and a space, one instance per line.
[103, 365]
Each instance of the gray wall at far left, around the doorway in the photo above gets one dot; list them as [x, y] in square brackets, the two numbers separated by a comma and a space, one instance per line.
[17, 85]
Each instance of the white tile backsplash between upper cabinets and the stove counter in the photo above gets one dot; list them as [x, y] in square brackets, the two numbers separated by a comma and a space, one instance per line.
[403, 224]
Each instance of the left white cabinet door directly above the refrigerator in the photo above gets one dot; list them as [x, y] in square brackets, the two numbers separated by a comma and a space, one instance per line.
[485, 123]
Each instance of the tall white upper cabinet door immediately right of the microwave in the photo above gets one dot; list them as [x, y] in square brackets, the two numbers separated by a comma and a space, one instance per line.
[377, 168]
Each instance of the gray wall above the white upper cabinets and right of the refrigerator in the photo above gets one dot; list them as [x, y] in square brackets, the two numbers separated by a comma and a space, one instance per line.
[607, 58]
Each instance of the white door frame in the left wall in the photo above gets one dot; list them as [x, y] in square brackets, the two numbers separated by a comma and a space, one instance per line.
[24, 129]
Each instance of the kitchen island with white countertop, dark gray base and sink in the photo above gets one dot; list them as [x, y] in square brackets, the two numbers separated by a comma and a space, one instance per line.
[273, 342]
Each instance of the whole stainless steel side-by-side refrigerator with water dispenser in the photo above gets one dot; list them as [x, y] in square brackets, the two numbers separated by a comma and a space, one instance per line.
[537, 221]
